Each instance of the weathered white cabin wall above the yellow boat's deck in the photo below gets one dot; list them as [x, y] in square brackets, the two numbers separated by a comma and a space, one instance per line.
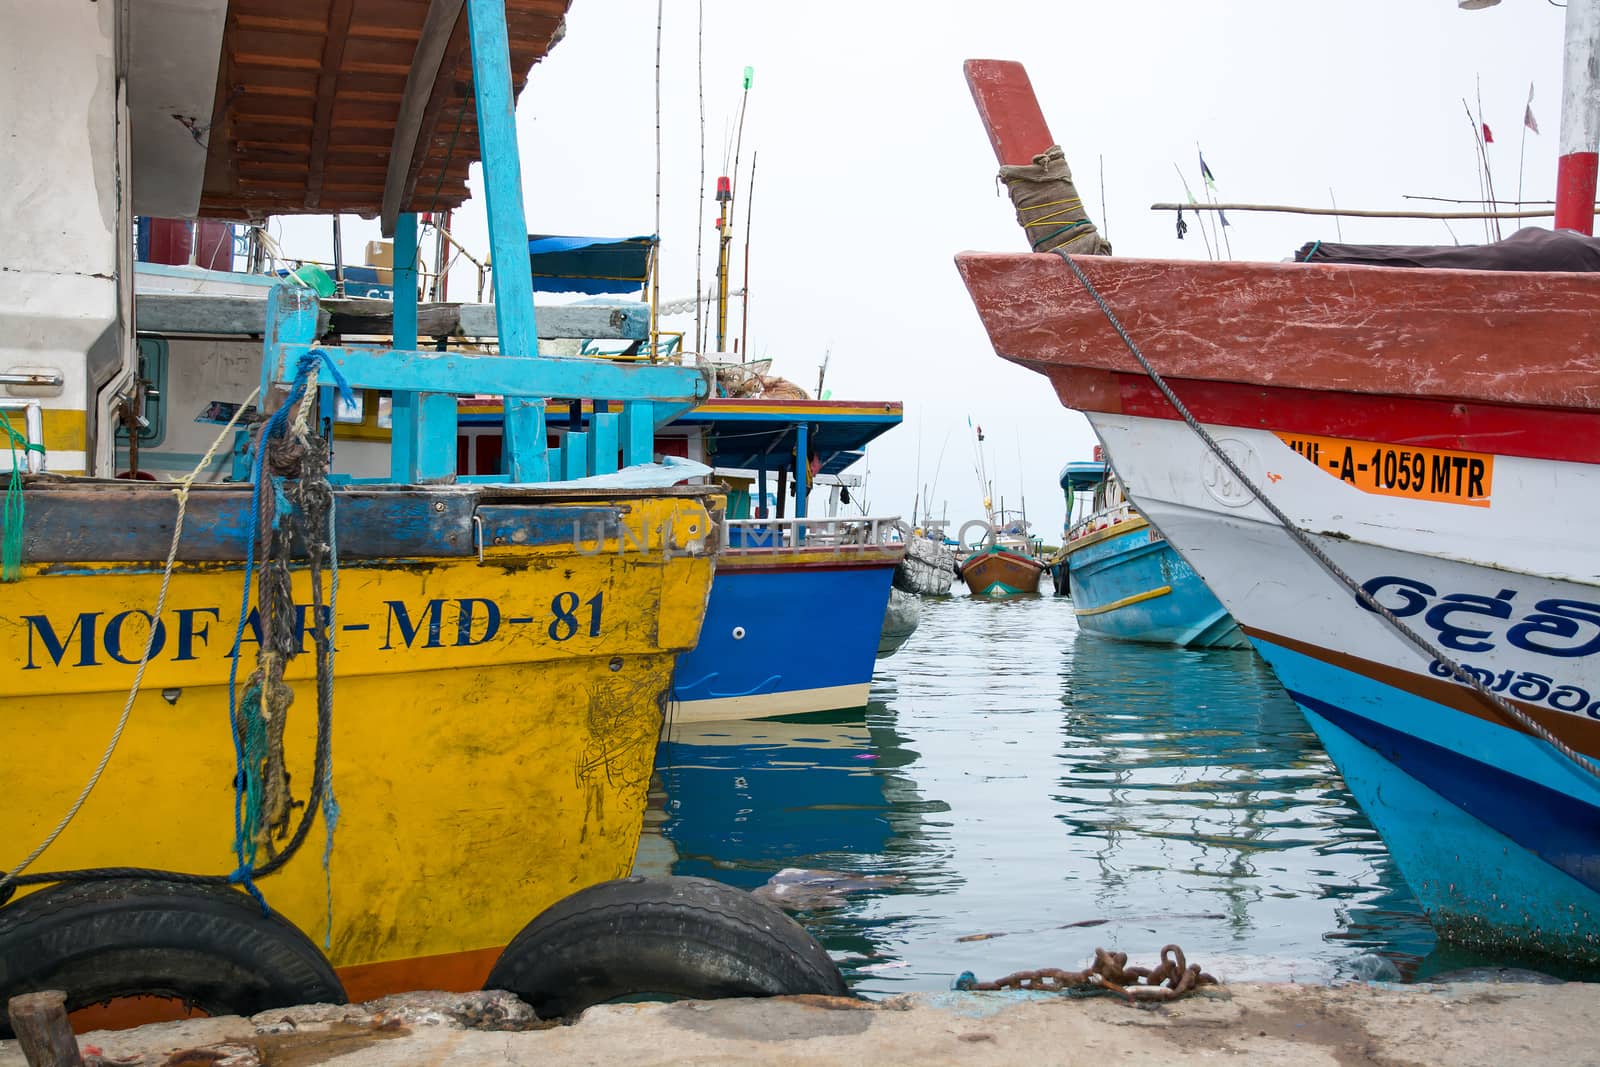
[63, 223]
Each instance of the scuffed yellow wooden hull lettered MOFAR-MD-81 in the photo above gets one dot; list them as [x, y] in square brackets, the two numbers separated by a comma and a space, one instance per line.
[494, 722]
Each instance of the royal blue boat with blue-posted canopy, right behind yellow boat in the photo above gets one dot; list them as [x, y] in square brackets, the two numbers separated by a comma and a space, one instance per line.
[799, 602]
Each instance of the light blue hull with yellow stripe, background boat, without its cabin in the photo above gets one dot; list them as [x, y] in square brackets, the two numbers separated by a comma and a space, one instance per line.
[1129, 583]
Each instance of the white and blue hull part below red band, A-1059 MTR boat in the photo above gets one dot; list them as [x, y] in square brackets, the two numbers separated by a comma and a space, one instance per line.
[1497, 831]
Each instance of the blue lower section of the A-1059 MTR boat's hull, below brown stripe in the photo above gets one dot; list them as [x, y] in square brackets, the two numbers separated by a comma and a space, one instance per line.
[1495, 833]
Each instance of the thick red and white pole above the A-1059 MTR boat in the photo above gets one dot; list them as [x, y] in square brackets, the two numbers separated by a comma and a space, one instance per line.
[1575, 177]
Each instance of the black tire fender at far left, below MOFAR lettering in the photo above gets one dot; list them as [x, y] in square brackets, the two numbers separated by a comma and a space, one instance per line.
[209, 946]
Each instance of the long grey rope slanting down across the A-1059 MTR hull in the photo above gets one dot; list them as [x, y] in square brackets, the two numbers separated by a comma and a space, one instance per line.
[1366, 599]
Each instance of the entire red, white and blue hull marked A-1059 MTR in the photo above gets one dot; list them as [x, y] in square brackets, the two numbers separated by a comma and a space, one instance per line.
[1412, 431]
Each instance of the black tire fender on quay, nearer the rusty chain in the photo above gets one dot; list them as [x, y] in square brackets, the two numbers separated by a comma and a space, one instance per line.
[676, 937]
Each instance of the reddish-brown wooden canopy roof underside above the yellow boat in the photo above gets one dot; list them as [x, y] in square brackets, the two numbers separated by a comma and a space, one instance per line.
[324, 105]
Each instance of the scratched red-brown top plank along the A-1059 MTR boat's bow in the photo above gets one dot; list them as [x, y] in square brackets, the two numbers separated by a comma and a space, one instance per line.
[1505, 337]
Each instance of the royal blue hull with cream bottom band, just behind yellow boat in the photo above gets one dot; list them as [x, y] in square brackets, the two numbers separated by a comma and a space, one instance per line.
[788, 633]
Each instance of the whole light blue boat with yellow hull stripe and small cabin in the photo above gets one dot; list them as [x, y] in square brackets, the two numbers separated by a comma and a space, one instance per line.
[1124, 578]
